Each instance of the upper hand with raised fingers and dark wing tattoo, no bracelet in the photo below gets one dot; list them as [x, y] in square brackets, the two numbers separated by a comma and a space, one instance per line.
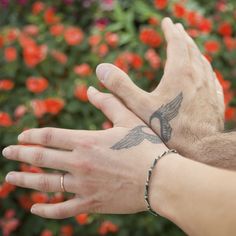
[187, 105]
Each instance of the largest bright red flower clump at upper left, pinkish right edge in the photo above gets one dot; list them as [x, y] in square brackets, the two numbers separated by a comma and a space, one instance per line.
[34, 54]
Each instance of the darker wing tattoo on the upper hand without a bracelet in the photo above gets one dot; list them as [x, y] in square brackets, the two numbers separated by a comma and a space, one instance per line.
[165, 114]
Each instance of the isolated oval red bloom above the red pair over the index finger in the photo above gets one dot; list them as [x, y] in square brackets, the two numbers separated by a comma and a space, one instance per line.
[36, 84]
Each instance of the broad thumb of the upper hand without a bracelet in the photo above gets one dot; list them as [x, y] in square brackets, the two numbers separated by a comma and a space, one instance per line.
[119, 83]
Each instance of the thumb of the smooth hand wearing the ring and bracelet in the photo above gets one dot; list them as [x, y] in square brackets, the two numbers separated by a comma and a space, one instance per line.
[112, 108]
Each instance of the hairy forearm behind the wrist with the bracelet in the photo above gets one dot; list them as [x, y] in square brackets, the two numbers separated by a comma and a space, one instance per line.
[217, 150]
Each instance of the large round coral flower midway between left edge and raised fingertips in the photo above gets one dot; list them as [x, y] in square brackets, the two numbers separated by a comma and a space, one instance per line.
[73, 35]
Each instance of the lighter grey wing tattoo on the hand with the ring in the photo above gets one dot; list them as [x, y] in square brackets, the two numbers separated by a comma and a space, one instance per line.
[135, 137]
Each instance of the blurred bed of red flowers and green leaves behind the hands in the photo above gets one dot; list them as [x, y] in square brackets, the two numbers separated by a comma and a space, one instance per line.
[48, 53]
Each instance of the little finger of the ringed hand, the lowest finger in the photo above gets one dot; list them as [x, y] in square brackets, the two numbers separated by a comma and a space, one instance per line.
[62, 210]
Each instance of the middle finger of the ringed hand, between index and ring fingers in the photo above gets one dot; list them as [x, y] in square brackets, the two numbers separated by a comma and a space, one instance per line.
[40, 156]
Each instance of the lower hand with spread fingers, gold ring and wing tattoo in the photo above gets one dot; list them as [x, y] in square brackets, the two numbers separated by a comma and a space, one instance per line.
[106, 170]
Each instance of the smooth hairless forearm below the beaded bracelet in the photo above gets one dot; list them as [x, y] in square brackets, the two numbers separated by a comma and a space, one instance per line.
[198, 198]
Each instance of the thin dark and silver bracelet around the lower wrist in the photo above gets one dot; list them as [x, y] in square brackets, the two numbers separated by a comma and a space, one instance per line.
[146, 194]
